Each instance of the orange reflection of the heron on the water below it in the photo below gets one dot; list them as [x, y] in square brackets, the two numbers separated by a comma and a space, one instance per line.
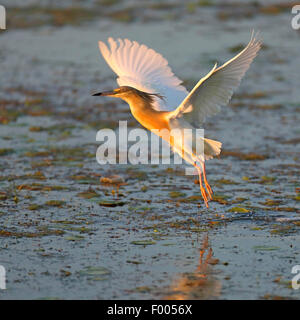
[200, 284]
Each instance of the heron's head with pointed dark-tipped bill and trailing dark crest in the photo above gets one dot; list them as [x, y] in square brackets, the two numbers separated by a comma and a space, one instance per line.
[129, 93]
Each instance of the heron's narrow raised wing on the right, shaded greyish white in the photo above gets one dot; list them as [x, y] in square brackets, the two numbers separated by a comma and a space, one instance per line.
[216, 88]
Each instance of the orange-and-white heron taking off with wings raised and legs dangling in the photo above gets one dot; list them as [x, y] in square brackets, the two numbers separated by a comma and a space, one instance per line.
[158, 100]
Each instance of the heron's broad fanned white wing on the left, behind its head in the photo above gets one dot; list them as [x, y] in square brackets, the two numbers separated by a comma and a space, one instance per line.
[142, 68]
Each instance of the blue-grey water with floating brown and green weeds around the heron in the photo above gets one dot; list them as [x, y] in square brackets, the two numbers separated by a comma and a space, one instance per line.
[64, 234]
